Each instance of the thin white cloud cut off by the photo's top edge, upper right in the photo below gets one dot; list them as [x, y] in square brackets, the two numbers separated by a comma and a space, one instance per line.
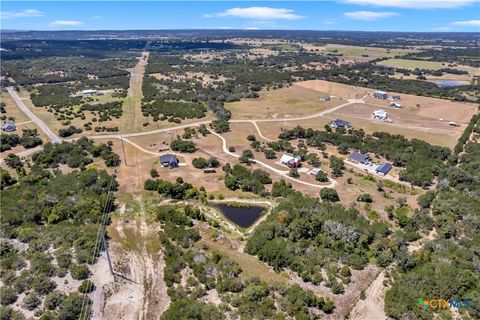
[414, 4]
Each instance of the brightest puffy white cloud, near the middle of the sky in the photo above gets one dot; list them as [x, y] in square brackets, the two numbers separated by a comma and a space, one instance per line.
[262, 13]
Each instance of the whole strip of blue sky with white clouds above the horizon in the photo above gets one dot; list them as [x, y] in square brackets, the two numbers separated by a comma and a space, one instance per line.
[368, 15]
